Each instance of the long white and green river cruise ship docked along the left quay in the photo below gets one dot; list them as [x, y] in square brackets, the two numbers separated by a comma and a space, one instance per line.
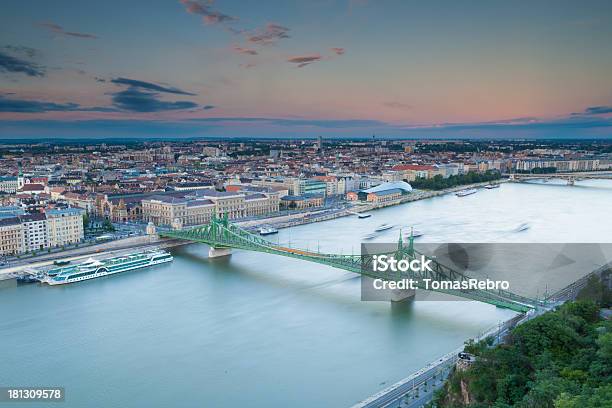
[93, 268]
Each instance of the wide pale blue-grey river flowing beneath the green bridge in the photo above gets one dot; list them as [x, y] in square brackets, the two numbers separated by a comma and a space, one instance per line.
[258, 330]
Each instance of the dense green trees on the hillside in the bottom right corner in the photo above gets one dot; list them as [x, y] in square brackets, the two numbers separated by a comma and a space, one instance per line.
[562, 359]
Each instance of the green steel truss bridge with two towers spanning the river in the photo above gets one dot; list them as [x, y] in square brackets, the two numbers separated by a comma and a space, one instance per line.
[222, 236]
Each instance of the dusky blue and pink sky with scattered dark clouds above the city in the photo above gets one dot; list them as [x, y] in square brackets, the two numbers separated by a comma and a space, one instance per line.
[345, 68]
